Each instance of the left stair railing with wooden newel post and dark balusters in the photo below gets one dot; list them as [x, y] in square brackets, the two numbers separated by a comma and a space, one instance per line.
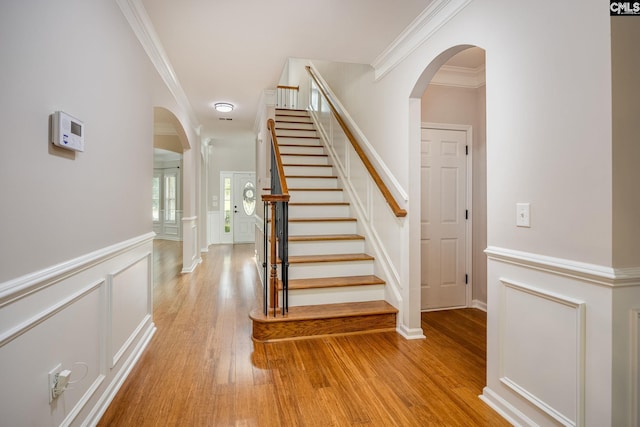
[277, 204]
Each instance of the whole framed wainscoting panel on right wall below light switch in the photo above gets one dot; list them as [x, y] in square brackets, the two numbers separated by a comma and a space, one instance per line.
[547, 369]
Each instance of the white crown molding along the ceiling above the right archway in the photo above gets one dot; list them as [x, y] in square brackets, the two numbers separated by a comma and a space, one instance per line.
[437, 14]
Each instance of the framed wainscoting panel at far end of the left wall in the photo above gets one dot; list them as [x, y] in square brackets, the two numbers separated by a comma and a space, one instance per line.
[130, 305]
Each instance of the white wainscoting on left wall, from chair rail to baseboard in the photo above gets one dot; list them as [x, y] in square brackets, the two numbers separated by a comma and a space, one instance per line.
[62, 318]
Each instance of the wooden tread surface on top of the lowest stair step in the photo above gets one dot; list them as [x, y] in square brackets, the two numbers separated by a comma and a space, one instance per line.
[328, 311]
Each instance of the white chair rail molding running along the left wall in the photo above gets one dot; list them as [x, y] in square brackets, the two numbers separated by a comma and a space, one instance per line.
[33, 282]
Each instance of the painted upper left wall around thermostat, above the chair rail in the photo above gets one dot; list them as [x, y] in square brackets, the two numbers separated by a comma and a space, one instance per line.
[62, 205]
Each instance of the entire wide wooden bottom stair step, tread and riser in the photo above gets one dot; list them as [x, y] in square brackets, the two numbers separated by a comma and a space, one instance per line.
[320, 320]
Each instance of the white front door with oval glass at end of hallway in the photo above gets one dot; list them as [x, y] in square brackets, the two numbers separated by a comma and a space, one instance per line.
[244, 207]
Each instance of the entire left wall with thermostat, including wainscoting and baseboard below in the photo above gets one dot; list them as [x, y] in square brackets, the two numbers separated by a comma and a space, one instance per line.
[75, 258]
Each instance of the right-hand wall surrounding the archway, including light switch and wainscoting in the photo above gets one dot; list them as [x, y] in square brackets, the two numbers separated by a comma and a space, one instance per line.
[549, 143]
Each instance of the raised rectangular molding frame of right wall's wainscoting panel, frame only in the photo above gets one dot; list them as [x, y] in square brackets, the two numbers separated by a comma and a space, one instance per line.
[580, 307]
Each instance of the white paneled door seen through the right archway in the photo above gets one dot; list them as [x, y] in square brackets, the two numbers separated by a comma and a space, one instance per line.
[443, 218]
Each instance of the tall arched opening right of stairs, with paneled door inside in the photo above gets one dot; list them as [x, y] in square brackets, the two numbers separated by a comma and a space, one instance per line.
[453, 180]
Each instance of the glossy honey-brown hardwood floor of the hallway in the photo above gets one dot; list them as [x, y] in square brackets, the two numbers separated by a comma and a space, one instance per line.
[202, 369]
